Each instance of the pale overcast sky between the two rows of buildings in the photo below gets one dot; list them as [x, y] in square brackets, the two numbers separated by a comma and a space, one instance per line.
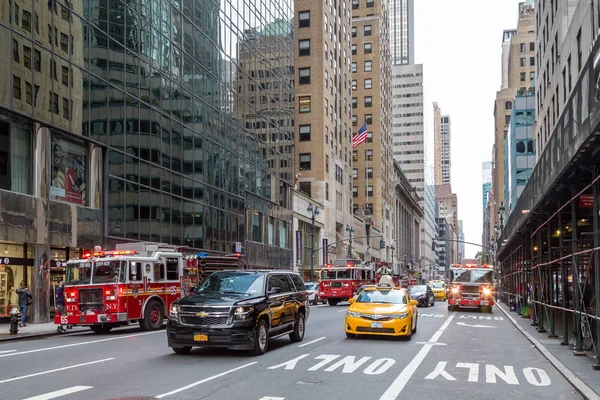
[460, 44]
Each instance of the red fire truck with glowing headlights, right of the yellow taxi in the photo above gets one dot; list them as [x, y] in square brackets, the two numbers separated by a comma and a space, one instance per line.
[472, 286]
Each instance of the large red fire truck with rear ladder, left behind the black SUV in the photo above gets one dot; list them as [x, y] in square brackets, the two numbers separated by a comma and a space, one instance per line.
[136, 283]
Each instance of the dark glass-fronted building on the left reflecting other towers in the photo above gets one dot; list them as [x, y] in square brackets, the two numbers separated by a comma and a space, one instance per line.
[128, 120]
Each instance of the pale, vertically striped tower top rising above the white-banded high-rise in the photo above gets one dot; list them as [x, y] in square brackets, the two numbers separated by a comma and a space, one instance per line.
[402, 31]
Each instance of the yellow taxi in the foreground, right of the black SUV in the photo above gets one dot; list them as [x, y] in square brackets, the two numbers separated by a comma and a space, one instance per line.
[382, 310]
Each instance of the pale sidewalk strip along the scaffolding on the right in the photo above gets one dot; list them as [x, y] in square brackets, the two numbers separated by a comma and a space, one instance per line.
[576, 369]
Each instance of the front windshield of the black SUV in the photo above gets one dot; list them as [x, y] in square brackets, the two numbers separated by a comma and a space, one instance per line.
[233, 283]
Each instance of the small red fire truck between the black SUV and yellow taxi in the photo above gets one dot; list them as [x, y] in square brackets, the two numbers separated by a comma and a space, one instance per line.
[341, 280]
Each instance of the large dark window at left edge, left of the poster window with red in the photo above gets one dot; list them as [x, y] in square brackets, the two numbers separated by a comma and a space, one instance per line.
[16, 153]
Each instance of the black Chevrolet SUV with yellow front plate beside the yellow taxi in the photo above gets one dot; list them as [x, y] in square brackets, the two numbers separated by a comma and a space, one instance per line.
[240, 310]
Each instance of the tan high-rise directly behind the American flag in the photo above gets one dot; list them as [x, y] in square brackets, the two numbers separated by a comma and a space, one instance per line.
[372, 104]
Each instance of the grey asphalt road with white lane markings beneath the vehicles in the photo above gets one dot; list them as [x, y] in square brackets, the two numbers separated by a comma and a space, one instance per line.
[459, 355]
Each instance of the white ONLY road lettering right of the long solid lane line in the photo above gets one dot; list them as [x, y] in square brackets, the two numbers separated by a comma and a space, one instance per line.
[493, 374]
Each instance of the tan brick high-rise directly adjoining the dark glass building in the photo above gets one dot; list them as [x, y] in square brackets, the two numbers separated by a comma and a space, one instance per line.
[323, 113]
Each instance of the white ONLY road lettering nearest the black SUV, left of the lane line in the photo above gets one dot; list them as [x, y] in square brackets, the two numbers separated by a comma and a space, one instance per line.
[333, 362]
